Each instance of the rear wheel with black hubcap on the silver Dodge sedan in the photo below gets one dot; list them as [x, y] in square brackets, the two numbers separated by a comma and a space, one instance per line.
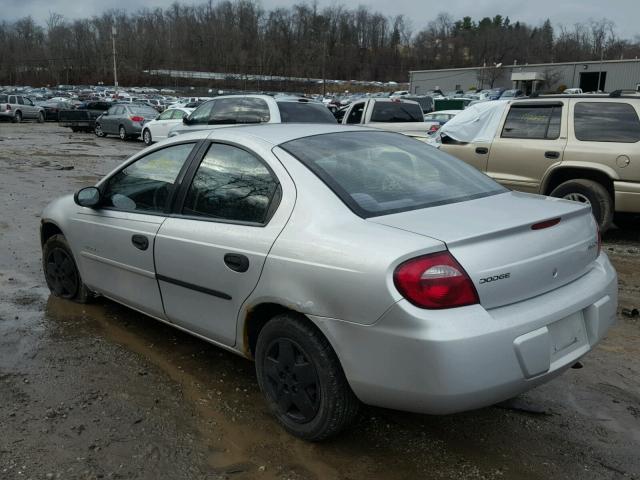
[289, 349]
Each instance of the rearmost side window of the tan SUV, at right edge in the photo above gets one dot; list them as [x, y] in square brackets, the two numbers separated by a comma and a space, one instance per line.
[606, 122]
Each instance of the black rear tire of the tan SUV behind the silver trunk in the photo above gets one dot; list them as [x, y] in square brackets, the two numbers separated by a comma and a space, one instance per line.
[589, 191]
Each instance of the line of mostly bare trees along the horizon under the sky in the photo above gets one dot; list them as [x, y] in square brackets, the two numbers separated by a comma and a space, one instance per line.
[239, 36]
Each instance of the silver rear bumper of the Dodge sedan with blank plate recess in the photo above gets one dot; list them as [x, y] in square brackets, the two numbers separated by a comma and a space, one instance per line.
[447, 361]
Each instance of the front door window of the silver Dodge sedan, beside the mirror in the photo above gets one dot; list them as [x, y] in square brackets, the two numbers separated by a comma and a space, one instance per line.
[146, 185]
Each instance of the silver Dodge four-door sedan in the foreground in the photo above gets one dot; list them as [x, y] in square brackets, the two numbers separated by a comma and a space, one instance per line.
[351, 264]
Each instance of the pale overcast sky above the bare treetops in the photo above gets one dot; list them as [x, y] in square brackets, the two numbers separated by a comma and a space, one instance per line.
[624, 13]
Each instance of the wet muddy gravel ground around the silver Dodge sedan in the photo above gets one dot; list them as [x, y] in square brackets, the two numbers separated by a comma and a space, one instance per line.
[99, 391]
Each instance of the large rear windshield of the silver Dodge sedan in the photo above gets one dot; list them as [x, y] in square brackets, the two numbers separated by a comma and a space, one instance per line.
[379, 173]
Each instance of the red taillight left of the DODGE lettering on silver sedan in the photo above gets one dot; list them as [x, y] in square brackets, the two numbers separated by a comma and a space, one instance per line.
[435, 281]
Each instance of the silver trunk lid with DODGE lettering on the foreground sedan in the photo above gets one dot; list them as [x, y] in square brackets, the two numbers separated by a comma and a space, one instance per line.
[493, 240]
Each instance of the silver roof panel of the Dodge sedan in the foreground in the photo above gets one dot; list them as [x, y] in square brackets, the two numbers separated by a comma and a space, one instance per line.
[271, 133]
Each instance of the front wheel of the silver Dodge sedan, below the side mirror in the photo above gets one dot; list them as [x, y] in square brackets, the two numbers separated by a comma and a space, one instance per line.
[61, 272]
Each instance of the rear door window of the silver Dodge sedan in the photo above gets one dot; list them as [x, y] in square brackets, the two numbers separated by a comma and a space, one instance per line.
[231, 184]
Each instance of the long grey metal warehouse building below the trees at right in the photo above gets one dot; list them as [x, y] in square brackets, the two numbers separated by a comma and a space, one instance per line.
[611, 74]
